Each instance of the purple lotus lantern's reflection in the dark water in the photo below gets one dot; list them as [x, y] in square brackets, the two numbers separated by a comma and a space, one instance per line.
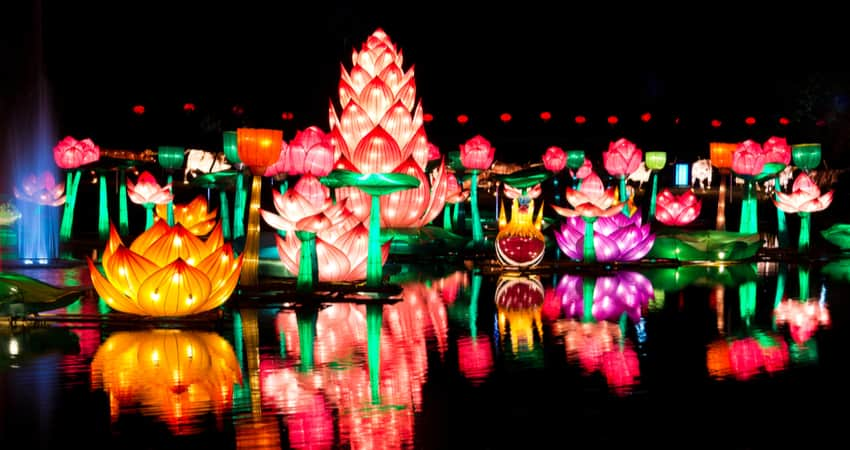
[612, 296]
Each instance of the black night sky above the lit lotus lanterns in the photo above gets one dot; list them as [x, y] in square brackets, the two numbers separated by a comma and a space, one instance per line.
[101, 58]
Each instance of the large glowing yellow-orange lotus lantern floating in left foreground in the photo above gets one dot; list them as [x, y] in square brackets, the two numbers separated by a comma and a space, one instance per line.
[166, 272]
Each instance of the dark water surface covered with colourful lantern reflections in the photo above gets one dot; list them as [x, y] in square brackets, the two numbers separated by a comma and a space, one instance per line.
[740, 356]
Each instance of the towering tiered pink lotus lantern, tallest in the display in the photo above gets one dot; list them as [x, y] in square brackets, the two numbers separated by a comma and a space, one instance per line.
[380, 129]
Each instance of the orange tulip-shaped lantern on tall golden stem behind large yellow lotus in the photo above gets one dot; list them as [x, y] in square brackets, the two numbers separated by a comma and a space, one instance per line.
[258, 149]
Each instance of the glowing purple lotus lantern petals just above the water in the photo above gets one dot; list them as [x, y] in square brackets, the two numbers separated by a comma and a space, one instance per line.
[617, 238]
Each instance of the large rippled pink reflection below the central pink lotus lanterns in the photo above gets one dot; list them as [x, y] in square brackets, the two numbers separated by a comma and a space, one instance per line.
[339, 379]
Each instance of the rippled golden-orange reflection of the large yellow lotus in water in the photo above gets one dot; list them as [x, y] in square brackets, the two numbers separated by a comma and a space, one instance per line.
[177, 375]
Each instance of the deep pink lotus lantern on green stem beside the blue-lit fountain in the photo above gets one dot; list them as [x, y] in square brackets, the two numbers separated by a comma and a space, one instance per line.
[70, 154]
